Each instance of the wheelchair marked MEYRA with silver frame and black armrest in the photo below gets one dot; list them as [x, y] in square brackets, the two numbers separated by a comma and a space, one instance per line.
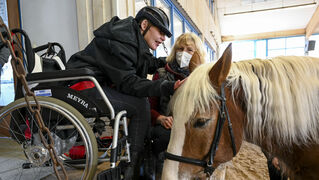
[87, 133]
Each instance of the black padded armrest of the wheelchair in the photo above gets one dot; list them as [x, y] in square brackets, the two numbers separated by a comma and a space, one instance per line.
[59, 74]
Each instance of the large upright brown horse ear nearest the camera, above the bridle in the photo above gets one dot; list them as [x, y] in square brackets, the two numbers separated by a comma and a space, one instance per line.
[221, 68]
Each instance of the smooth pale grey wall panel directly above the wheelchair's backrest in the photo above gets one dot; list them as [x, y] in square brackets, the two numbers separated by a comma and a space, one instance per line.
[51, 21]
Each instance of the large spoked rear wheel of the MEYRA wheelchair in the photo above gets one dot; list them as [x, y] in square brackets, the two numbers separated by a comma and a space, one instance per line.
[22, 154]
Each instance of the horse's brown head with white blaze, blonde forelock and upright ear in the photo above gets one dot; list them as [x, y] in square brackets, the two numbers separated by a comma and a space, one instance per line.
[197, 107]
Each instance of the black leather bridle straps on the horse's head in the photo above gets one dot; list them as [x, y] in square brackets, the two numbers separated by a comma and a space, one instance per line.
[208, 165]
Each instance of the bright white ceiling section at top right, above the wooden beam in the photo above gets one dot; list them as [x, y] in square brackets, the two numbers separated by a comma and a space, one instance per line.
[244, 17]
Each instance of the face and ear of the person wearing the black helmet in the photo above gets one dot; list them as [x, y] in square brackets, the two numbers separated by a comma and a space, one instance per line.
[153, 37]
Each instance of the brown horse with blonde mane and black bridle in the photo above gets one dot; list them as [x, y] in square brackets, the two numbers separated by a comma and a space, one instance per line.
[273, 103]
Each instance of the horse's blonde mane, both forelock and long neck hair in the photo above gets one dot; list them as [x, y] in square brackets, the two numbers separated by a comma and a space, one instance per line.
[281, 97]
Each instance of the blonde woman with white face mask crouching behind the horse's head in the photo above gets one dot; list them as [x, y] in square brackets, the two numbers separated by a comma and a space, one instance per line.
[177, 68]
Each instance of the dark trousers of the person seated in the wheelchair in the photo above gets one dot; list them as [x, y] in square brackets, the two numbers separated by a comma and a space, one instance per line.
[138, 111]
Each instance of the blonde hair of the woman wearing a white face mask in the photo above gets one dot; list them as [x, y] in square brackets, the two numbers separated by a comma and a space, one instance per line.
[186, 39]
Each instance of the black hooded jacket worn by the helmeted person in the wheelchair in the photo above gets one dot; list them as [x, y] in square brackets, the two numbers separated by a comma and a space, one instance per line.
[120, 56]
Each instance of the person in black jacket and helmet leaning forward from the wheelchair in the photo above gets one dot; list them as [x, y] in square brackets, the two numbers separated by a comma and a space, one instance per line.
[120, 57]
